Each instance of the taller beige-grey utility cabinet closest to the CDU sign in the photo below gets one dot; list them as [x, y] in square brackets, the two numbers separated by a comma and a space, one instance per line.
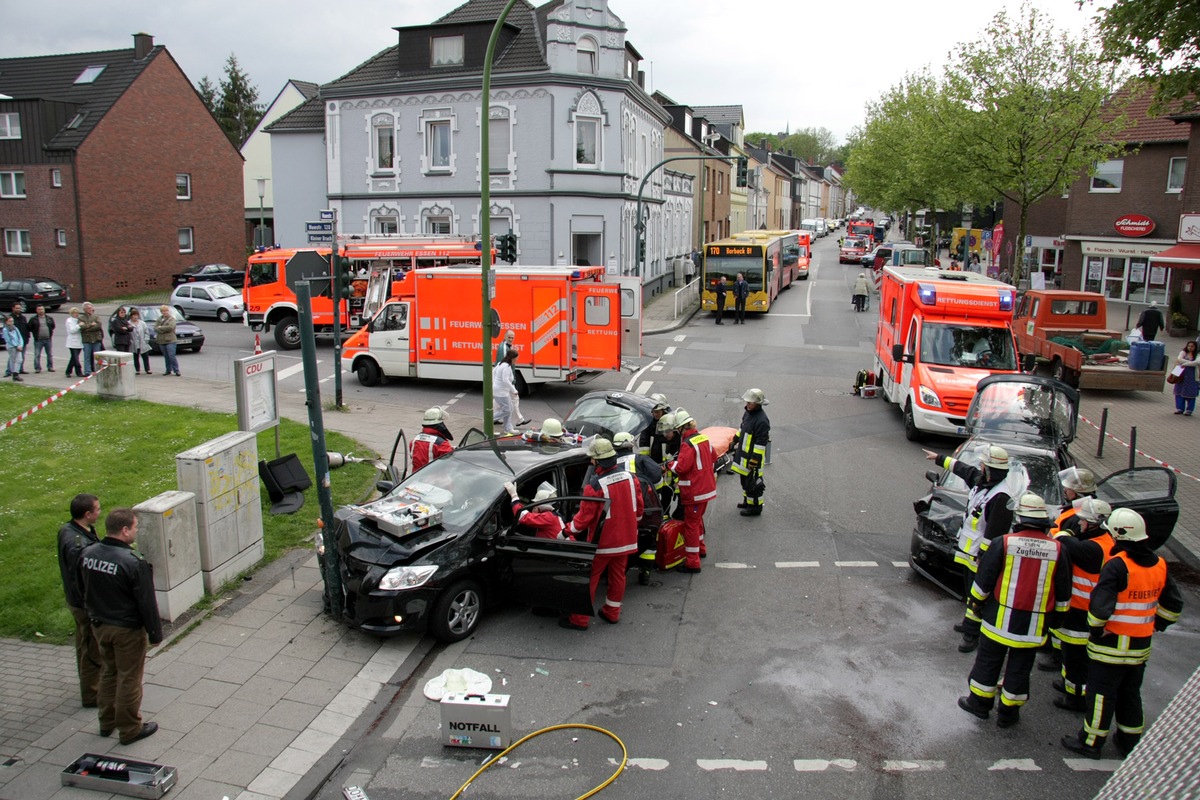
[224, 477]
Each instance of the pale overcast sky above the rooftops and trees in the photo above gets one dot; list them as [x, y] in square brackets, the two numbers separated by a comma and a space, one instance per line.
[789, 63]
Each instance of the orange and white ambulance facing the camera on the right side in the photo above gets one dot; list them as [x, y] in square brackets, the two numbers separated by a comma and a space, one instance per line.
[940, 333]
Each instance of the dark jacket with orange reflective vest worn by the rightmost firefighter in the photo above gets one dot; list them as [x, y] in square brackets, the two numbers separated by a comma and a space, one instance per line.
[1133, 598]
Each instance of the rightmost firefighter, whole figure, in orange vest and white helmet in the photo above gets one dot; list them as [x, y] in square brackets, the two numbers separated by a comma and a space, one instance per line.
[1133, 598]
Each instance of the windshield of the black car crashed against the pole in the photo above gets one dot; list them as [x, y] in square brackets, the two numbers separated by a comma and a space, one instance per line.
[461, 490]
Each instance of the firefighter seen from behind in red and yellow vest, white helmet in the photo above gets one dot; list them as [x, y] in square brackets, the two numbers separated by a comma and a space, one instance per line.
[1023, 578]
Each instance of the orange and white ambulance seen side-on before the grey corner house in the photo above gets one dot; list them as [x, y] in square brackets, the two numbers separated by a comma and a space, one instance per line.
[427, 324]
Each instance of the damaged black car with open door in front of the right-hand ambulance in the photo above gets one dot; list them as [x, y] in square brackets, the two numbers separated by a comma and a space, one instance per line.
[1035, 420]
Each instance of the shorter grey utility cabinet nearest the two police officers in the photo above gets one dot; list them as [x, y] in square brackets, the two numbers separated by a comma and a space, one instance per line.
[170, 542]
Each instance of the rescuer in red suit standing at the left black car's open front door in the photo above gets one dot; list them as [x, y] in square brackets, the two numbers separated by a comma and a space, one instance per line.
[619, 539]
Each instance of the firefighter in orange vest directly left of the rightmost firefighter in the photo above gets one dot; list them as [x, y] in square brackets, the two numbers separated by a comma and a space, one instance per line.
[1088, 550]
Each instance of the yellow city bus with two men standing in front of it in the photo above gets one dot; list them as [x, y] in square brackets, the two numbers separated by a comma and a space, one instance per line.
[769, 260]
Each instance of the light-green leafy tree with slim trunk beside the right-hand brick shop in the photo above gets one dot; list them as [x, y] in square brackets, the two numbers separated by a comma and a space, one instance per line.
[1041, 111]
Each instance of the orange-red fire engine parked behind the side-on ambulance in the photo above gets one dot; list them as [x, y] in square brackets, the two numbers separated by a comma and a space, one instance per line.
[269, 292]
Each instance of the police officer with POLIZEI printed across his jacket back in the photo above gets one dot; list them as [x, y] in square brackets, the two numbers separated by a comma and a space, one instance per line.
[119, 598]
